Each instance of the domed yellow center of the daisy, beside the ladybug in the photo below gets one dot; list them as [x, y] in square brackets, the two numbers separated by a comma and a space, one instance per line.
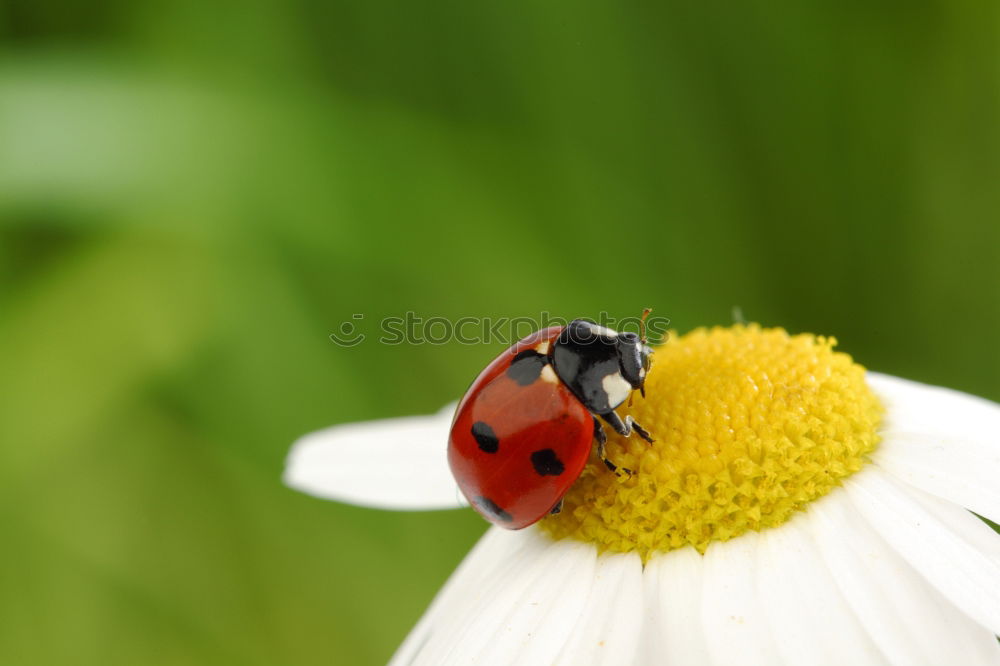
[750, 425]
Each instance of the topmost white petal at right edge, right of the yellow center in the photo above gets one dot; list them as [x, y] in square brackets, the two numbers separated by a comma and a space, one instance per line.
[942, 441]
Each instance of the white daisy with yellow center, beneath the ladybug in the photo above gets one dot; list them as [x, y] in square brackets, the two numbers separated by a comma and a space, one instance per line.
[794, 509]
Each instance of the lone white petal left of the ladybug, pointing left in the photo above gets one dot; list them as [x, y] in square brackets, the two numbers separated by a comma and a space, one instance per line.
[396, 463]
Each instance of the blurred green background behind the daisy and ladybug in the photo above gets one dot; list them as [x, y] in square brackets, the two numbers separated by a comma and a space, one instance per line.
[194, 195]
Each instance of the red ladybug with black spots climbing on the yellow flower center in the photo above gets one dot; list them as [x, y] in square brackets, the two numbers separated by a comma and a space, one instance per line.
[523, 432]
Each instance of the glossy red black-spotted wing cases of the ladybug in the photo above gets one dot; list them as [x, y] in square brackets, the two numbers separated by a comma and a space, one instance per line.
[520, 438]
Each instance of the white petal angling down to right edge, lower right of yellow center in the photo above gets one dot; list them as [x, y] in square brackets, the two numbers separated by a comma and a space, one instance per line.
[955, 551]
